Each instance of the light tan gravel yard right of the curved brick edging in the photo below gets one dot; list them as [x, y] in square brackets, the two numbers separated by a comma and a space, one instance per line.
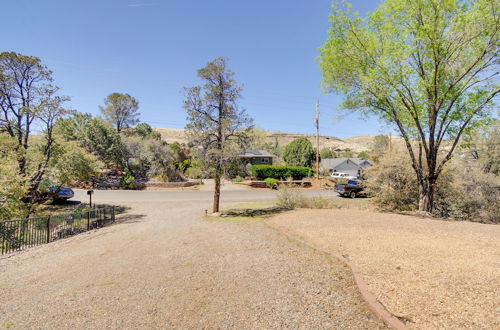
[432, 274]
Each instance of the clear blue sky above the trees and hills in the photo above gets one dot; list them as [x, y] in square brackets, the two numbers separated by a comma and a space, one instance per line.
[151, 49]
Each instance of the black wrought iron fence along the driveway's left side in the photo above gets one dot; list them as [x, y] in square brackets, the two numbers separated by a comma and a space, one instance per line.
[17, 235]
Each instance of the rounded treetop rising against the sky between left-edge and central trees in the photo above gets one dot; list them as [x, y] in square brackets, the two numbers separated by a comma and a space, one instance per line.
[121, 110]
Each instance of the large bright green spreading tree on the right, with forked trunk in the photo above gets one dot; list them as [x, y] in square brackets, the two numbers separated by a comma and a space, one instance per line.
[430, 67]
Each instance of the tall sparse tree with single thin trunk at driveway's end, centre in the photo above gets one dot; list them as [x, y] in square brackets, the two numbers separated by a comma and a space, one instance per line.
[215, 121]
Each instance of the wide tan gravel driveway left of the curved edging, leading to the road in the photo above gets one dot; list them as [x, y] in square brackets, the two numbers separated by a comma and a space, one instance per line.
[163, 266]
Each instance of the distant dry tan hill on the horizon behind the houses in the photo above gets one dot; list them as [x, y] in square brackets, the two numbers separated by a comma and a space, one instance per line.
[355, 144]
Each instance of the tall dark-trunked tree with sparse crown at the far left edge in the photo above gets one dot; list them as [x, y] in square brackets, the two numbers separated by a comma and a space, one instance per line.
[29, 103]
